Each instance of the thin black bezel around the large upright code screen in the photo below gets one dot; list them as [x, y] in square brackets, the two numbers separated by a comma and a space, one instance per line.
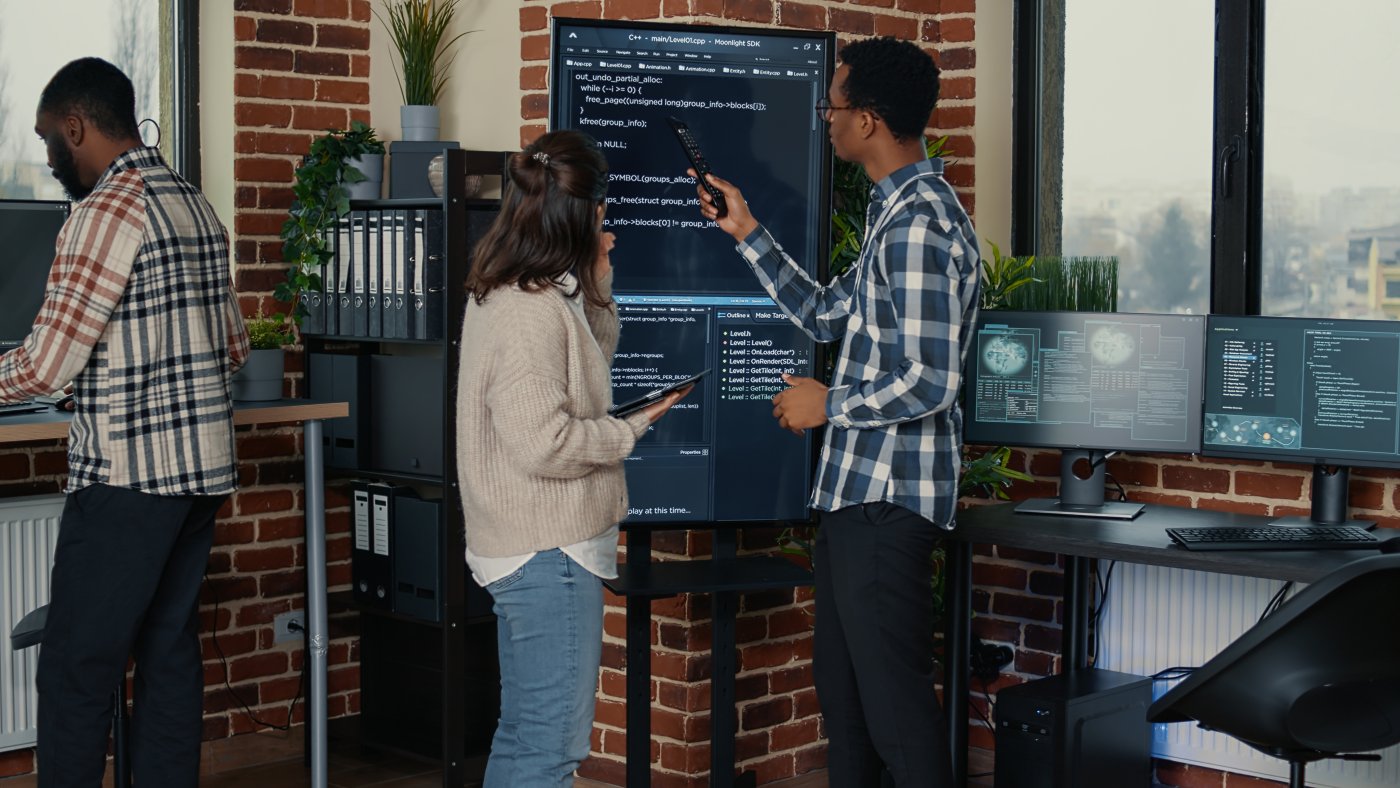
[822, 269]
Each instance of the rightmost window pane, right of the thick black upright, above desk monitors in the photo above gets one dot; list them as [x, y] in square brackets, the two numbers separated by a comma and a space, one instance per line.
[1332, 174]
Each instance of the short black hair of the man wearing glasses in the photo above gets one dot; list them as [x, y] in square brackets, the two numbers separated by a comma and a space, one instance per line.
[892, 79]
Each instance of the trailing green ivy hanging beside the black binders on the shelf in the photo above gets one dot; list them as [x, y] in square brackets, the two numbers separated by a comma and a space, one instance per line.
[320, 198]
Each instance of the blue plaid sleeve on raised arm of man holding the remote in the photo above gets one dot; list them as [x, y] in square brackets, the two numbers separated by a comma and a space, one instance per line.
[820, 311]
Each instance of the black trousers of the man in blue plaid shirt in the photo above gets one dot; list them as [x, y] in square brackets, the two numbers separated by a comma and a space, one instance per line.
[874, 652]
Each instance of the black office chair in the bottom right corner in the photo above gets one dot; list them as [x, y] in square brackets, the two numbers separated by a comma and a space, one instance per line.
[1318, 680]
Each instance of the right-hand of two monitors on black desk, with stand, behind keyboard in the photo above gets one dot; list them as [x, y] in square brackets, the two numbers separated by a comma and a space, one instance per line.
[1304, 391]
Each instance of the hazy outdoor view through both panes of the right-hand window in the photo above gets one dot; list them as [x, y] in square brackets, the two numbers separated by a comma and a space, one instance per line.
[1137, 164]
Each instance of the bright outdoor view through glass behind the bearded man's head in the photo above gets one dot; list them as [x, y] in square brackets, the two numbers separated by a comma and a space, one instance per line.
[37, 40]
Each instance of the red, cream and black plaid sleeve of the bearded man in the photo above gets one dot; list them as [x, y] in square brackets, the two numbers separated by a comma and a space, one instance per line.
[96, 253]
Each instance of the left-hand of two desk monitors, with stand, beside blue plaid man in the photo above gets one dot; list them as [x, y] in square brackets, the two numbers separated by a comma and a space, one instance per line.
[1088, 384]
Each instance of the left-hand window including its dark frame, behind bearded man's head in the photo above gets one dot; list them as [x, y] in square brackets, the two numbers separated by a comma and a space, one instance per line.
[152, 41]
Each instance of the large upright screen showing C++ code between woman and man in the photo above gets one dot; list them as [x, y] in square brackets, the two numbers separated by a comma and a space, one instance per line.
[687, 300]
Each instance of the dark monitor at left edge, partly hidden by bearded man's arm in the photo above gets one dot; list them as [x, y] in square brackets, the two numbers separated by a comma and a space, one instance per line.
[29, 233]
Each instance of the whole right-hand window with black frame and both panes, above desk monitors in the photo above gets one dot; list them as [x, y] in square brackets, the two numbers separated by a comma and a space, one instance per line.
[1237, 156]
